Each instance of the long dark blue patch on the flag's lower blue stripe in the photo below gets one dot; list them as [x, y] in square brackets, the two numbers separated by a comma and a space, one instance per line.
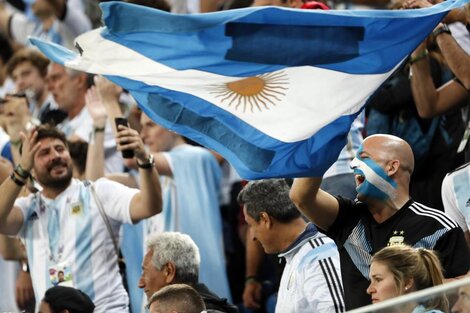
[175, 113]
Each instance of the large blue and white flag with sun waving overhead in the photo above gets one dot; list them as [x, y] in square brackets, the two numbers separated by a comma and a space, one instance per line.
[273, 90]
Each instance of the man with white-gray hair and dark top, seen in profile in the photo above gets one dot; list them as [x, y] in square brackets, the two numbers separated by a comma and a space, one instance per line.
[173, 258]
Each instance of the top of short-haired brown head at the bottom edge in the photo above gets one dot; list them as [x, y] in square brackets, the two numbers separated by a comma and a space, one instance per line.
[177, 298]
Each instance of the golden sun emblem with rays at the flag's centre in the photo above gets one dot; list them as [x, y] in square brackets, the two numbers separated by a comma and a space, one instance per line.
[257, 92]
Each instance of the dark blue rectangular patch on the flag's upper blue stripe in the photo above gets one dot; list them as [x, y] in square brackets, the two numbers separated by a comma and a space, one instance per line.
[292, 45]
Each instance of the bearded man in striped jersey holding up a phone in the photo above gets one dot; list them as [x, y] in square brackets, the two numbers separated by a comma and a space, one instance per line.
[70, 225]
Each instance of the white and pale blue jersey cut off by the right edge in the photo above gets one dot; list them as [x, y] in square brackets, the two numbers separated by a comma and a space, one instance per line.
[456, 195]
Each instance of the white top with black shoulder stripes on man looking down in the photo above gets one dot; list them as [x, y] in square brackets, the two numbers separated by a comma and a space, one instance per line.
[311, 281]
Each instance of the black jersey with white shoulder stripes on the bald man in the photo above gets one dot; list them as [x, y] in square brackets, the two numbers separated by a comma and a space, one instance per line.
[359, 236]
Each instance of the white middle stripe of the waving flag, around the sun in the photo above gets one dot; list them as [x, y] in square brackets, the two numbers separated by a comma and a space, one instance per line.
[314, 98]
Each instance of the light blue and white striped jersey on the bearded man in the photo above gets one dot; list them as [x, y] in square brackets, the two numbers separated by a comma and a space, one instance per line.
[70, 230]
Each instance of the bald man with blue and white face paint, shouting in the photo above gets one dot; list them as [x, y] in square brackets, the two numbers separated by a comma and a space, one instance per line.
[382, 215]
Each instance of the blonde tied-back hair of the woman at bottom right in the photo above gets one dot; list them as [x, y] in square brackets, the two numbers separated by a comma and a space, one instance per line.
[420, 265]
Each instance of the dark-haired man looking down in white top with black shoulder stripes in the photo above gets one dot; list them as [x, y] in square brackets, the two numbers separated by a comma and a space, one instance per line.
[311, 281]
